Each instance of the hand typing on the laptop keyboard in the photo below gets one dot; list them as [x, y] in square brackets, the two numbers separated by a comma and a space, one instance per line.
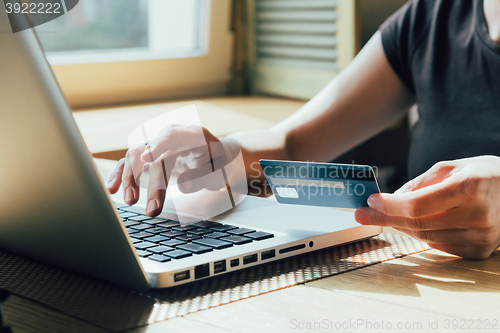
[188, 153]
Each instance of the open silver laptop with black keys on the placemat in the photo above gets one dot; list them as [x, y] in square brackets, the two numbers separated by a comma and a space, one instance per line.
[55, 208]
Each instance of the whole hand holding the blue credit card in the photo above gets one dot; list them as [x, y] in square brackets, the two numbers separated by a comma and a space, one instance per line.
[454, 207]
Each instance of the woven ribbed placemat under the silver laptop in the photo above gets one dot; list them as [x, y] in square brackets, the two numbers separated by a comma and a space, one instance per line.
[115, 308]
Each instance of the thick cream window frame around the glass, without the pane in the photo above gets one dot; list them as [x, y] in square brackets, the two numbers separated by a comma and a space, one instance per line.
[123, 81]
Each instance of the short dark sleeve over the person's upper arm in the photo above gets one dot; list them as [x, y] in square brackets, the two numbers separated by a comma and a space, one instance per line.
[401, 34]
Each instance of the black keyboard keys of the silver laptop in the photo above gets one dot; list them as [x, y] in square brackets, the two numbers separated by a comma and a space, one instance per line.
[163, 240]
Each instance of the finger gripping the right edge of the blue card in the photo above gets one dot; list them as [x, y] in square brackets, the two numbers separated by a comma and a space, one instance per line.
[422, 202]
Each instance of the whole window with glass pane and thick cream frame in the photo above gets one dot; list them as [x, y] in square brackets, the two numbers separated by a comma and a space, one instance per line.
[122, 51]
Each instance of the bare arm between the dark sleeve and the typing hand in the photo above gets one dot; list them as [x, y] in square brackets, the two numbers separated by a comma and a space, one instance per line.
[361, 101]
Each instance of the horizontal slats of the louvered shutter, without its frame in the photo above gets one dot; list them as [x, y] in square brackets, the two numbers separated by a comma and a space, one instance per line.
[297, 33]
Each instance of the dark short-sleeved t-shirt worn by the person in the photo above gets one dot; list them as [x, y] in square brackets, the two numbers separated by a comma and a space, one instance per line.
[441, 50]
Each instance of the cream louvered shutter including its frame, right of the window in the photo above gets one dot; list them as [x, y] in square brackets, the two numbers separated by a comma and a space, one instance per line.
[297, 45]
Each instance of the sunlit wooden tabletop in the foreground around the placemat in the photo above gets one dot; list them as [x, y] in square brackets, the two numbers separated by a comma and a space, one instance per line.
[431, 291]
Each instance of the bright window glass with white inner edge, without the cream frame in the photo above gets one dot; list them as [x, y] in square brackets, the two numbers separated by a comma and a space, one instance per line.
[123, 30]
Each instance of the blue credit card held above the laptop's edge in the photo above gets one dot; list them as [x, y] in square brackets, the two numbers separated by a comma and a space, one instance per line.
[320, 184]
